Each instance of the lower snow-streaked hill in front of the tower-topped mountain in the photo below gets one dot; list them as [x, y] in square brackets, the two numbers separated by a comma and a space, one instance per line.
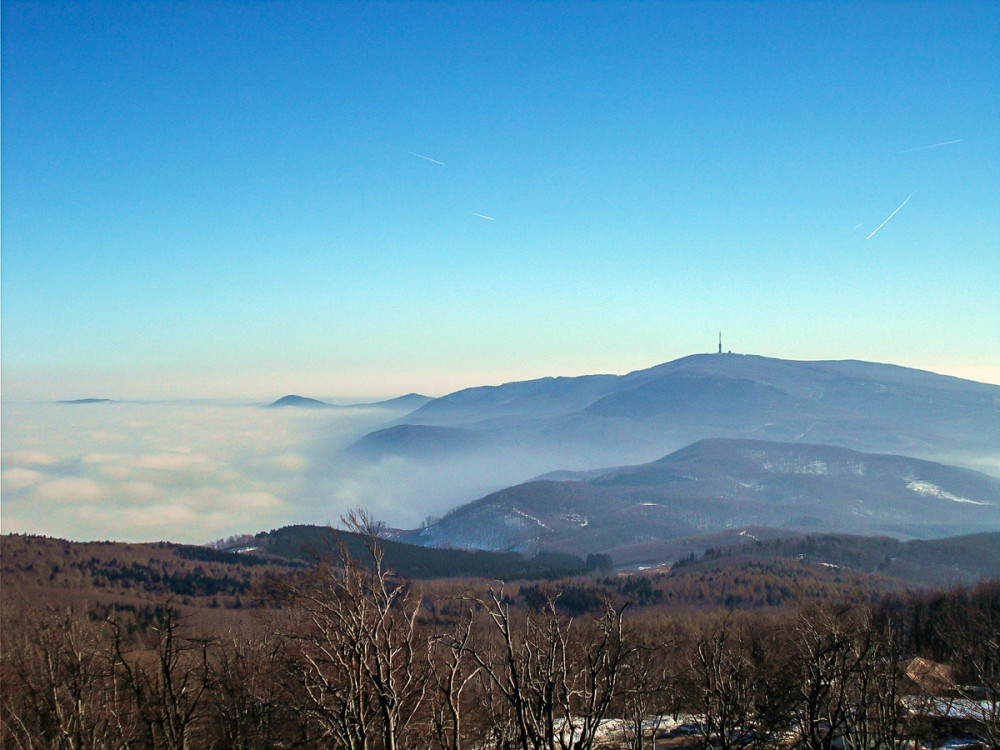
[727, 484]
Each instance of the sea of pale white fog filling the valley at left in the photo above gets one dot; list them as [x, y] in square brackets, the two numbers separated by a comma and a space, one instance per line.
[193, 472]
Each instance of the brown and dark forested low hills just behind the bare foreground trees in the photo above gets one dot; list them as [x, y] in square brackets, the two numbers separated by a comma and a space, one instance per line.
[753, 573]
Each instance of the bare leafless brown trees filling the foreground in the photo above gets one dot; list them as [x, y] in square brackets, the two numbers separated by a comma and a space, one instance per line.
[349, 655]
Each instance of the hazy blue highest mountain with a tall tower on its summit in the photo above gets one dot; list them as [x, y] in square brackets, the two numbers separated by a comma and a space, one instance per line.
[581, 423]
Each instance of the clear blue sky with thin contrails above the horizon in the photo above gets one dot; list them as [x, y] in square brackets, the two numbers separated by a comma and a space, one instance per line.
[248, 199]
